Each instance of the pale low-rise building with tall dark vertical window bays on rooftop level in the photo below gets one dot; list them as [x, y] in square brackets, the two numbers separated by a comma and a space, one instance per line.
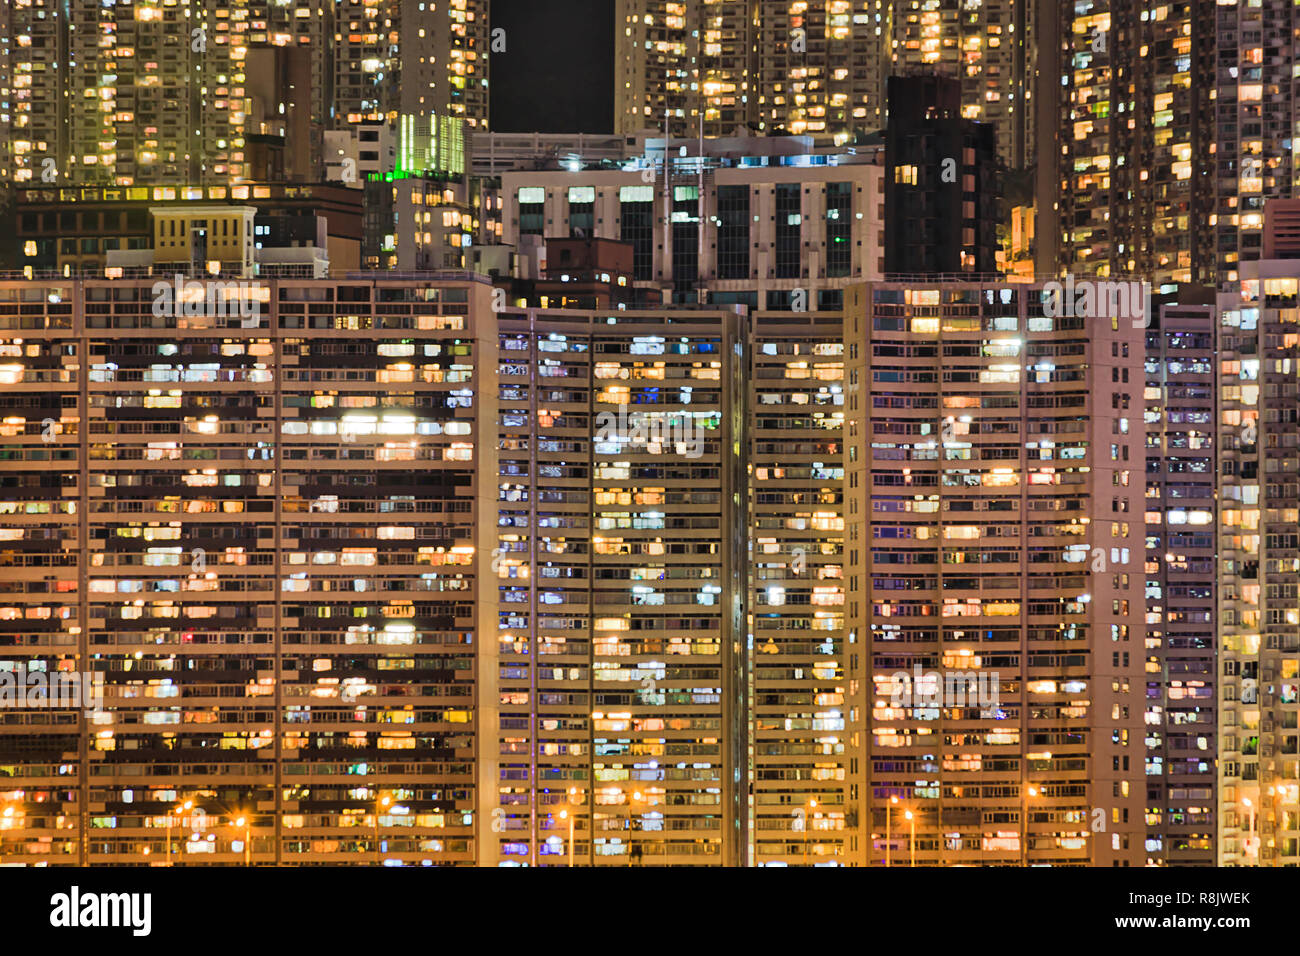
[772, 232]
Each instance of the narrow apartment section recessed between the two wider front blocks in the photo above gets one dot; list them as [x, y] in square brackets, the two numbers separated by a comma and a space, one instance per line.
[800, 738]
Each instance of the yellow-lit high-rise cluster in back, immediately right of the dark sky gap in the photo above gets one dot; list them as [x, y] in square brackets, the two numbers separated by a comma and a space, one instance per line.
[820, 67]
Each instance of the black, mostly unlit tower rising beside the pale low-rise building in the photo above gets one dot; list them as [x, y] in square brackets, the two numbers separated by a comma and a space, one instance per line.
[942, 181]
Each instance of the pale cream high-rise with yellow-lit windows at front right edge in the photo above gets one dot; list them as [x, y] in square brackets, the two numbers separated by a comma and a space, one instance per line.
[1259, 695]
